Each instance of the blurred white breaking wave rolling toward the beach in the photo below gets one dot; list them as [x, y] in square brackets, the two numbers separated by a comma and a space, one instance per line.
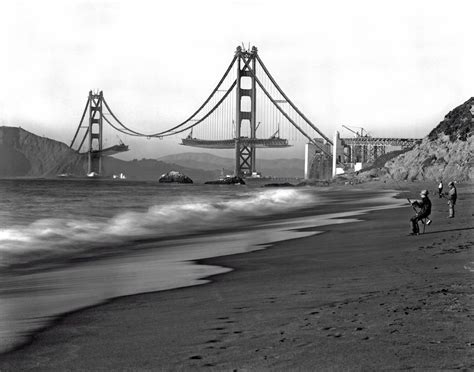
[60, 237]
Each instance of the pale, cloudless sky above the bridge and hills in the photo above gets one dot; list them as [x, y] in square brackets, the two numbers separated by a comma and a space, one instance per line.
[394, 68]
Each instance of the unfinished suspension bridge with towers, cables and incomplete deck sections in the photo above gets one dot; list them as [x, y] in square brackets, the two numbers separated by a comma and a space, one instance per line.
[245, 111]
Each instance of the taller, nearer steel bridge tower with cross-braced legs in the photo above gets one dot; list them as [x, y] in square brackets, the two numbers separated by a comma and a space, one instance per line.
[245, 154]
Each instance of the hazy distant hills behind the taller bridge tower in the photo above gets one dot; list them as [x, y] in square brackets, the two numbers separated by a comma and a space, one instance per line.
[268, 167]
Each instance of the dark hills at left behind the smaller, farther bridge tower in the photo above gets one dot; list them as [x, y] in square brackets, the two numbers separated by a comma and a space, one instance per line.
[24, 154]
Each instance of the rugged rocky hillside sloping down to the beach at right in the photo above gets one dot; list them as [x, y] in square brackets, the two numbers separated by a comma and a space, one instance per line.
[446, 153]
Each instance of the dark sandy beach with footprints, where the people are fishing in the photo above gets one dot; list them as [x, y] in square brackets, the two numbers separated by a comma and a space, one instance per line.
[361, 296]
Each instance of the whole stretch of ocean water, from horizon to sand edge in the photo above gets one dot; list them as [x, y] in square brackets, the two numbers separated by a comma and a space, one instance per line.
[67, 244]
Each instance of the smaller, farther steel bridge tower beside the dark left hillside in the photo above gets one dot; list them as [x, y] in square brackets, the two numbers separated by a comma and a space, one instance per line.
[95, 132]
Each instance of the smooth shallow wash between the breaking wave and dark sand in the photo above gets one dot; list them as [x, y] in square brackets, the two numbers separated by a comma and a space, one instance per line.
[83, 274]
